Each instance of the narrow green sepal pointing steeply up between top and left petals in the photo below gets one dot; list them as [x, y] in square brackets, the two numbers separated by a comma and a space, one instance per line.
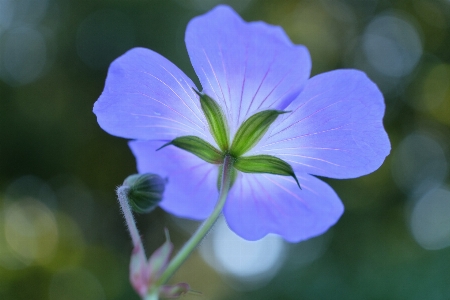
[216, 120]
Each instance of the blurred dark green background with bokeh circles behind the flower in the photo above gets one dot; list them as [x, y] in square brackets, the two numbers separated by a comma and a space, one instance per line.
[61, 232]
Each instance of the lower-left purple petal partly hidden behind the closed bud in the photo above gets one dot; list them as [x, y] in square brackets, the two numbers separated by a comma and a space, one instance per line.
[191, 190]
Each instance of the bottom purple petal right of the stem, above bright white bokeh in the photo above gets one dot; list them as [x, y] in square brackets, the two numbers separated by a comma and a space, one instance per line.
[259, 204]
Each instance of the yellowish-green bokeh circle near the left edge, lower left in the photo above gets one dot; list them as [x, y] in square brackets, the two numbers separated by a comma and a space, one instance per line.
[31, 231]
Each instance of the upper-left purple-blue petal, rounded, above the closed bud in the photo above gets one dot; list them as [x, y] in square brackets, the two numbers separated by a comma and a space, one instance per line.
[148, 97]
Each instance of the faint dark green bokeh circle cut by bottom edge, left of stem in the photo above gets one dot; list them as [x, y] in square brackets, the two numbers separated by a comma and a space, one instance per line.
[75, 284]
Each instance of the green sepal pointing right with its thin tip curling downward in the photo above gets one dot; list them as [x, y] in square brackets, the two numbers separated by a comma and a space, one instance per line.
[265, 164]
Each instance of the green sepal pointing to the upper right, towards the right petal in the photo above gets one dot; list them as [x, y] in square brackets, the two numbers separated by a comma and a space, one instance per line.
[252, 130]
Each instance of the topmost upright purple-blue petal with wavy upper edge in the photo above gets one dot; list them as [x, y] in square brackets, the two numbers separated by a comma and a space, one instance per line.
[246, 67]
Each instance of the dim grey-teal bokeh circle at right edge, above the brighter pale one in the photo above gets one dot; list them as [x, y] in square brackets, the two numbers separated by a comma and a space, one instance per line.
[419, 164]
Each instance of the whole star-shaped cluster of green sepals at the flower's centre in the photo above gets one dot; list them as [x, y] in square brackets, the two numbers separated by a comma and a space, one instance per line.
[247, 136]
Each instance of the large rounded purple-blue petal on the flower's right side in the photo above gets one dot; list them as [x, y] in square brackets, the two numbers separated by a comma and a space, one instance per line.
[335, 128]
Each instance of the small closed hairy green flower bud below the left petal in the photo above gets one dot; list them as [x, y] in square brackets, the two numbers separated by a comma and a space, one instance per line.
[145, 191]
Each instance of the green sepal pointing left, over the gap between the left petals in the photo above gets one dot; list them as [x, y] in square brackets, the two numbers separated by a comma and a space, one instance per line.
[198, 147]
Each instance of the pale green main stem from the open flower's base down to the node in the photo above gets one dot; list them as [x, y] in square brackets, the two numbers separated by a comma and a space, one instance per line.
[201, 232]
